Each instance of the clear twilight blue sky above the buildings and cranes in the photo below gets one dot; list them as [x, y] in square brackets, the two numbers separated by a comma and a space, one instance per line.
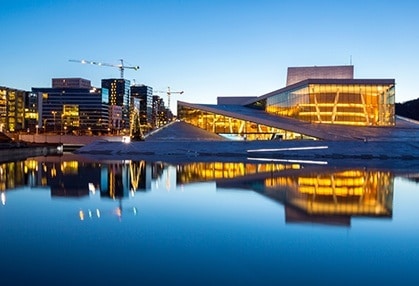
[208, 48]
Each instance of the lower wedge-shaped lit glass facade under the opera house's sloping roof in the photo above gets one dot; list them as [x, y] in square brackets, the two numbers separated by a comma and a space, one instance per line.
[234, 128]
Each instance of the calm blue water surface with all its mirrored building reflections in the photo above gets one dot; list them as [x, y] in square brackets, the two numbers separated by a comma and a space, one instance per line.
[68, 221]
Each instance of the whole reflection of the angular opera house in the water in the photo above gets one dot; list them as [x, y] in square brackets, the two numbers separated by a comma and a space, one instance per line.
[317, 195]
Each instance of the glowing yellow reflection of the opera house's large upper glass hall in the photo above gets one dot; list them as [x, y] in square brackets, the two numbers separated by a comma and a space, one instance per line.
[345, 192]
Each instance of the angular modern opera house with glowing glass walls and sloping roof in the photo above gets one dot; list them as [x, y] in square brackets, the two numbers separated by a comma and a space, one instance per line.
[320, 102]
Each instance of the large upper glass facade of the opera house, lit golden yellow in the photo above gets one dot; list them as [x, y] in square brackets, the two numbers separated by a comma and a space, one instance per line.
[348, 104]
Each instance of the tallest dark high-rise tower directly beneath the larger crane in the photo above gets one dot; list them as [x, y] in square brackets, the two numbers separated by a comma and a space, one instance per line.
[119, 95]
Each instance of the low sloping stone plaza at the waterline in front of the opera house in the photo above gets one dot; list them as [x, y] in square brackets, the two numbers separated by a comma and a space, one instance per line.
[181, 142]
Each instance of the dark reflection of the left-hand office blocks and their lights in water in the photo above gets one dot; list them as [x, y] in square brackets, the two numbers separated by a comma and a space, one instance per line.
[75, 177]
